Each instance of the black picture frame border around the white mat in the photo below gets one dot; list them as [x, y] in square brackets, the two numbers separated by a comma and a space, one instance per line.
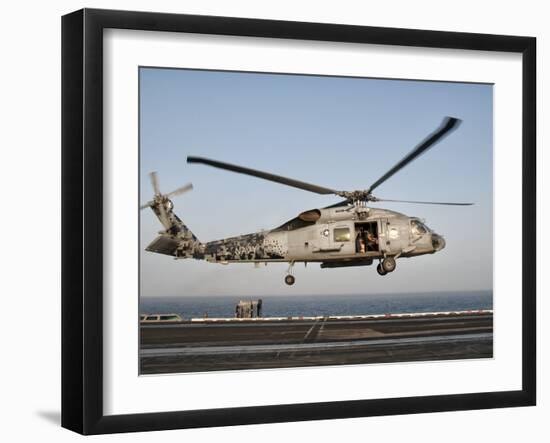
[82, 218]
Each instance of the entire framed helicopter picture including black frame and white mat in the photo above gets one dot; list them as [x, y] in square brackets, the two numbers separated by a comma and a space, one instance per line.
[360, 238]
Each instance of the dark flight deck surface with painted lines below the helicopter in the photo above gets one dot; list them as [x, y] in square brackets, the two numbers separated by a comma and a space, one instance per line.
[217, 346]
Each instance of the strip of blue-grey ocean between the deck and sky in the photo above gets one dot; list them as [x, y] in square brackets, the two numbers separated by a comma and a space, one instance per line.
[320, 305]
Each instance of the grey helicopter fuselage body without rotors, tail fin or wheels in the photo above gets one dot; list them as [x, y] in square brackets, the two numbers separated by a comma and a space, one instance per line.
[329, 235]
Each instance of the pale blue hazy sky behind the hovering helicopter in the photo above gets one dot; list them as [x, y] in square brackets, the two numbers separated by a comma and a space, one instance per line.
[338, 132]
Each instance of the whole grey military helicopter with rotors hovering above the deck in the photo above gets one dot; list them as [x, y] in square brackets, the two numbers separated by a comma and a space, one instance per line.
[345, 234]
